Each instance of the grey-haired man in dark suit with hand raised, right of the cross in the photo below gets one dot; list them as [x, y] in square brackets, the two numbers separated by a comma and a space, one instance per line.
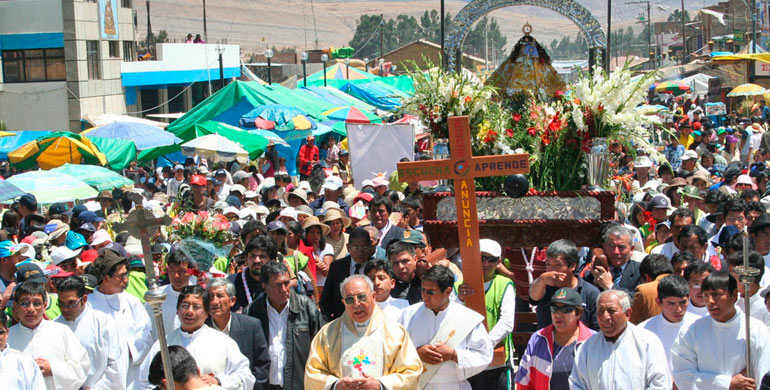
[623, 274]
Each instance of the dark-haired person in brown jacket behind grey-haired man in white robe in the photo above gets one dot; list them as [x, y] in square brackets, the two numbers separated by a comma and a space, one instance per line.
[653, 269]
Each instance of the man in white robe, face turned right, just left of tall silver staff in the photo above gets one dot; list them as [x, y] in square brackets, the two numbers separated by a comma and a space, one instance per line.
[134, 326]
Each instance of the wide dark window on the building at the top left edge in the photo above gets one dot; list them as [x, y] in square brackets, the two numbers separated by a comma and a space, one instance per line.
[21, 66]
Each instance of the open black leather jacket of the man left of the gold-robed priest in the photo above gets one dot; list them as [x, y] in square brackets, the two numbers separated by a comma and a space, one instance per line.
[303, 324]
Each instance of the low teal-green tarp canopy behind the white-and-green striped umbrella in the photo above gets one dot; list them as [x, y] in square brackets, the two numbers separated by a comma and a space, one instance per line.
[253, 143]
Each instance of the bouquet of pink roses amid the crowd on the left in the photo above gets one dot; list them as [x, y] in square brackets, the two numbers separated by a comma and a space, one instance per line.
[210, 228]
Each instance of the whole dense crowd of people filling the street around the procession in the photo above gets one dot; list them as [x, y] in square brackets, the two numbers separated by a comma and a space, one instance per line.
[324, 286]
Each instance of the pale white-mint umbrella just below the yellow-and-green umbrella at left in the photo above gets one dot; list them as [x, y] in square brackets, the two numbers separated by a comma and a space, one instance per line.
[52, 187]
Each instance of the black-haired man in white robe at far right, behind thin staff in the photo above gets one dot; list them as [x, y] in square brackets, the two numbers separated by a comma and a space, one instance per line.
[711, 354]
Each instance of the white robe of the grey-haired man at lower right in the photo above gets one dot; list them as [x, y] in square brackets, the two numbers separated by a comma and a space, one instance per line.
[636, 360]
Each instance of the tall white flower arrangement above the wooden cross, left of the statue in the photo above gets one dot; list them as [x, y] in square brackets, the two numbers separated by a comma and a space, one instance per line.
[439, 95]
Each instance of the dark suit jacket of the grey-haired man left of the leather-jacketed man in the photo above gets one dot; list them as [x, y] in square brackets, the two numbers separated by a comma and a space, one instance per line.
[248, 333]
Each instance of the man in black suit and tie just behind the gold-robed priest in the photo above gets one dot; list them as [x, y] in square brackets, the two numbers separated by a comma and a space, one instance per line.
[360, 251]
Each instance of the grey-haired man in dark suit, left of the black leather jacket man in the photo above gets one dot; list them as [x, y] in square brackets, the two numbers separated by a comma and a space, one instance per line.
[247, 332]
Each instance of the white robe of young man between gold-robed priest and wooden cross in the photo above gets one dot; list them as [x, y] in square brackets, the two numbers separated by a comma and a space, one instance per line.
[474, 353]
